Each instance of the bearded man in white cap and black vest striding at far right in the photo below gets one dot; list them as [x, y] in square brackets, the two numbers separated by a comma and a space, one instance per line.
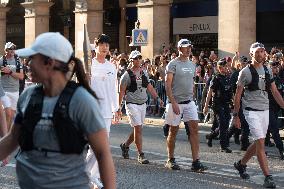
[256, 79]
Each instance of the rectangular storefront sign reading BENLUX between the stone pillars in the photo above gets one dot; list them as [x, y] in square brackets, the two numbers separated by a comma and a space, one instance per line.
[195, 25]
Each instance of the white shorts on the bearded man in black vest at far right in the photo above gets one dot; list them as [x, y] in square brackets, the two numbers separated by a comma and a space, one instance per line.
[258, 123]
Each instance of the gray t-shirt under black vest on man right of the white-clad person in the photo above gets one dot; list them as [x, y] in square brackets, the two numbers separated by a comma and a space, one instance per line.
[140, 95]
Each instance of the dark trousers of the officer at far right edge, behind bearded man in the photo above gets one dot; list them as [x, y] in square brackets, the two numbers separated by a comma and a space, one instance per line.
[273, 128]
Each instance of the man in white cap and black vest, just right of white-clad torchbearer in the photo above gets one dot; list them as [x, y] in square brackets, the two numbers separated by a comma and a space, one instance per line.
[134, 86]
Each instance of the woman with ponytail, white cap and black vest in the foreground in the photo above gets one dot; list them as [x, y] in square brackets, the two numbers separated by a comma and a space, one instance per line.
[52, 132]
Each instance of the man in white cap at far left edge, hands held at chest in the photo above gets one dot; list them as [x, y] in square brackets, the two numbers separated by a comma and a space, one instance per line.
[11, 73]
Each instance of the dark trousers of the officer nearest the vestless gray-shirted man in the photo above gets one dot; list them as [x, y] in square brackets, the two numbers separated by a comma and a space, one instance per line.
[223, 117]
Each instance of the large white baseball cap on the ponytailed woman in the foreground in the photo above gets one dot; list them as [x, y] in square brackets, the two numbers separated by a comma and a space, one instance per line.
[50, 44]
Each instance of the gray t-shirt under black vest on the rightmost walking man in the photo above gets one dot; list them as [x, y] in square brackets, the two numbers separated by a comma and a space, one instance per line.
[254, 99]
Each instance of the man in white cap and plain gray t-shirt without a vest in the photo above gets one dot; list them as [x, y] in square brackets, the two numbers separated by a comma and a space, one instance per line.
[180, 91]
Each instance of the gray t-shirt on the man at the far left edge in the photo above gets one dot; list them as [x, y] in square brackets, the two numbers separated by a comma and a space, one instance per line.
[9, 83]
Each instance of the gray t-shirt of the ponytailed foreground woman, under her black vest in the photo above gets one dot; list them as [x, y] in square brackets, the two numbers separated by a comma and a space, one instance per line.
[37, 169]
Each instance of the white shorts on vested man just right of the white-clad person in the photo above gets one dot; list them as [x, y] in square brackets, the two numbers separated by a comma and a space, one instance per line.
[136, 113]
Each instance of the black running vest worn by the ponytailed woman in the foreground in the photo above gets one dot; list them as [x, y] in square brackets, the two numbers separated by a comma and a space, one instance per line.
[71, 139]
